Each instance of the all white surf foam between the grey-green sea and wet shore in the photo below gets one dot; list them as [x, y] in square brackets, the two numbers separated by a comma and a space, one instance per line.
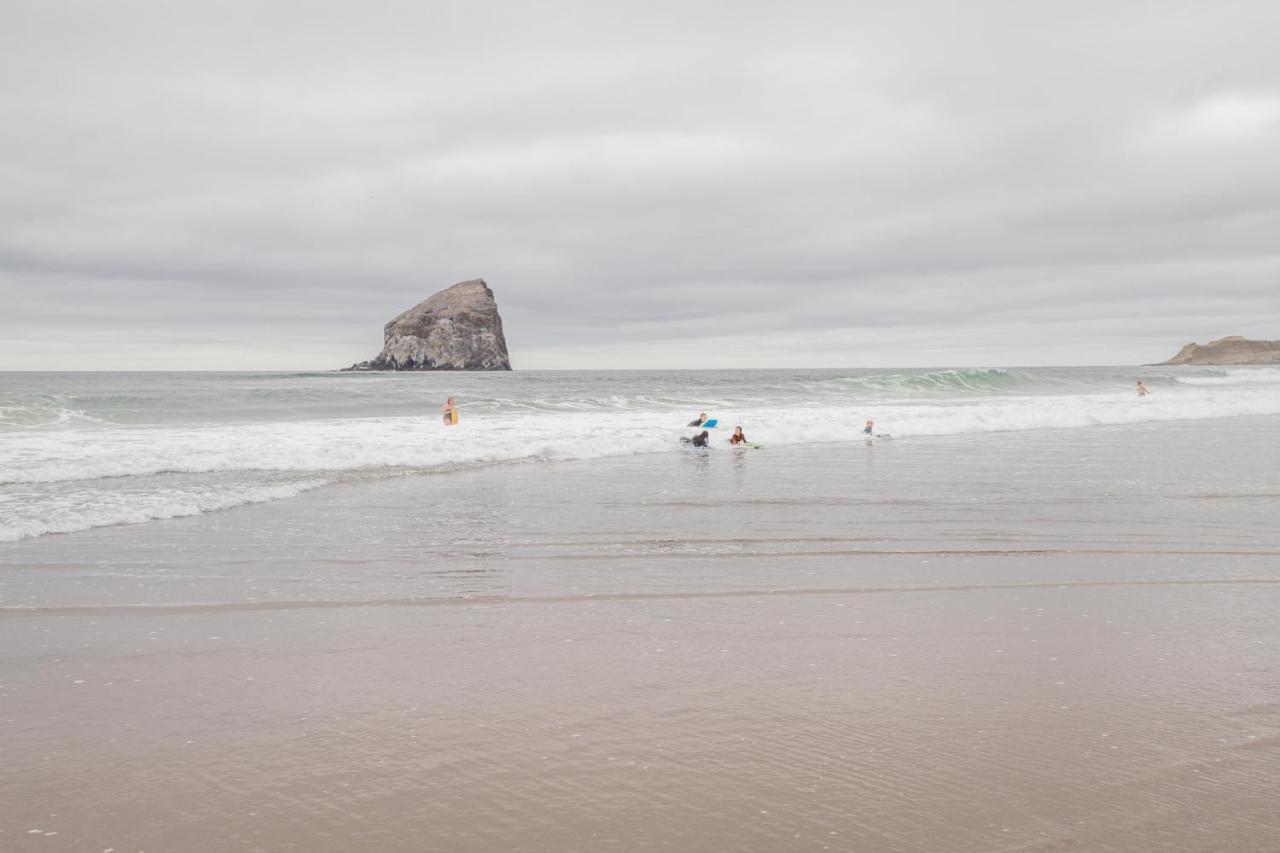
[65, 480]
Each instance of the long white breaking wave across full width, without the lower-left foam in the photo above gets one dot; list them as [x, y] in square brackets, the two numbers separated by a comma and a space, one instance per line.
[344, 445]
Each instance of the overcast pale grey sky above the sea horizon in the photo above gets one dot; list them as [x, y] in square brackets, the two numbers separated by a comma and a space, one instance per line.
[689, 185]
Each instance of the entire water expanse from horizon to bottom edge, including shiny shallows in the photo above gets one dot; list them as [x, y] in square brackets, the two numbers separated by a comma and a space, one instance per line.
[295, 612]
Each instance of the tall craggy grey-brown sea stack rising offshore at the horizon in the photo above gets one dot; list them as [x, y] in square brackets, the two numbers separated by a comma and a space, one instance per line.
[456, 330]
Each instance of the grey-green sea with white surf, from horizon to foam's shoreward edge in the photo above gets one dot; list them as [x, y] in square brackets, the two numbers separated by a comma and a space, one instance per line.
[88, 450]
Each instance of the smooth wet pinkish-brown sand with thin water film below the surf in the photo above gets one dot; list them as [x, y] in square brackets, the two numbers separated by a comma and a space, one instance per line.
[900, 647]
